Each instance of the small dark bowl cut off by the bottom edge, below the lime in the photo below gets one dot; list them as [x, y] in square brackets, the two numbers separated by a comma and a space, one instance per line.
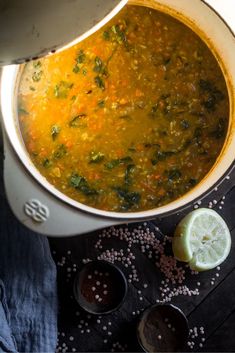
[162, 328]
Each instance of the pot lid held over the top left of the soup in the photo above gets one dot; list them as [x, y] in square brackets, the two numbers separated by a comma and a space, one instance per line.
[34, 28]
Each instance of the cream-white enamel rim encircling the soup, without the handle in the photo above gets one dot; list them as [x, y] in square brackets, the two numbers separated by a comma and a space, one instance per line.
[218, 35]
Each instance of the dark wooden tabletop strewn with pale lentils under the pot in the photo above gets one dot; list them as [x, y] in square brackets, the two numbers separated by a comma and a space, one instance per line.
[211, 312]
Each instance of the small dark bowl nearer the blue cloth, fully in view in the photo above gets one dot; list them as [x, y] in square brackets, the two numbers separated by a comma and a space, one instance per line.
[100, 287]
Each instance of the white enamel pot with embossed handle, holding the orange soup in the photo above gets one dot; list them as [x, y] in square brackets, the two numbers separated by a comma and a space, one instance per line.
[43, 208]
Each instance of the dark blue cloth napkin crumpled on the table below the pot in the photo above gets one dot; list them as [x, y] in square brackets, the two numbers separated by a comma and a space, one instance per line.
[28, 294]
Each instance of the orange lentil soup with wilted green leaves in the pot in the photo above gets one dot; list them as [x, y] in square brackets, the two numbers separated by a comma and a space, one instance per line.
[129, 119]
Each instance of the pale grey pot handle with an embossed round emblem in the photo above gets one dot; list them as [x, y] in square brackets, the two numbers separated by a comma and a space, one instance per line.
[40, 211]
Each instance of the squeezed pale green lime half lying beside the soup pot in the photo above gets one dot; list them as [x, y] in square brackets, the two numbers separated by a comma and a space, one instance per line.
[203, 239]
